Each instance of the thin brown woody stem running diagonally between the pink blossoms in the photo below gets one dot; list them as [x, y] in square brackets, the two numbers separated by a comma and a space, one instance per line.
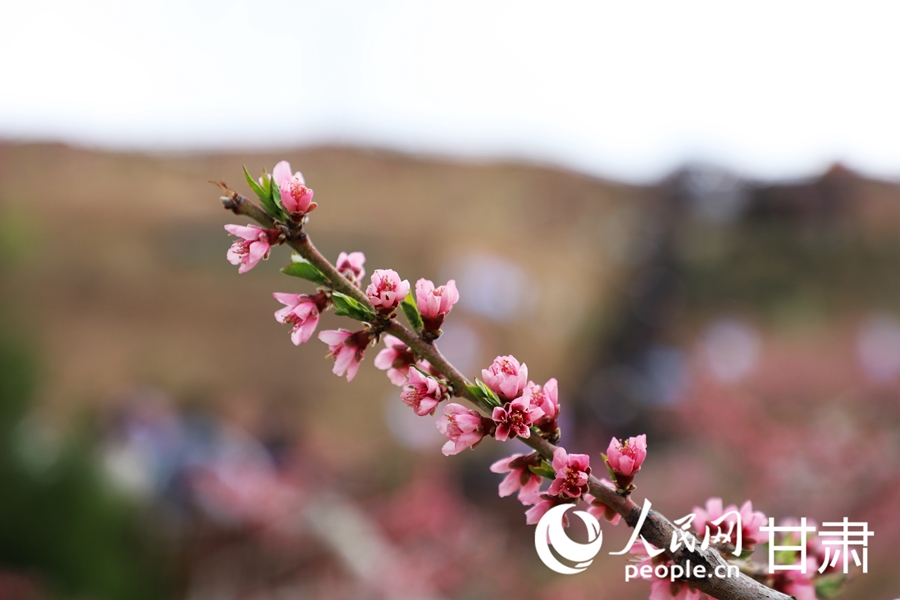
[657, 529]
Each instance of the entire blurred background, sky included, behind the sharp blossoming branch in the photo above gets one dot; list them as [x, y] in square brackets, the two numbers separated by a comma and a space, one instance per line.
[687, 214]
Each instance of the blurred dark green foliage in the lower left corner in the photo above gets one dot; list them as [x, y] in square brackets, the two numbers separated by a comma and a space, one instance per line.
[60, 523]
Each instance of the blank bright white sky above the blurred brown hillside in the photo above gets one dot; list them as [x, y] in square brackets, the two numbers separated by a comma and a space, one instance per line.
[623, 89]
